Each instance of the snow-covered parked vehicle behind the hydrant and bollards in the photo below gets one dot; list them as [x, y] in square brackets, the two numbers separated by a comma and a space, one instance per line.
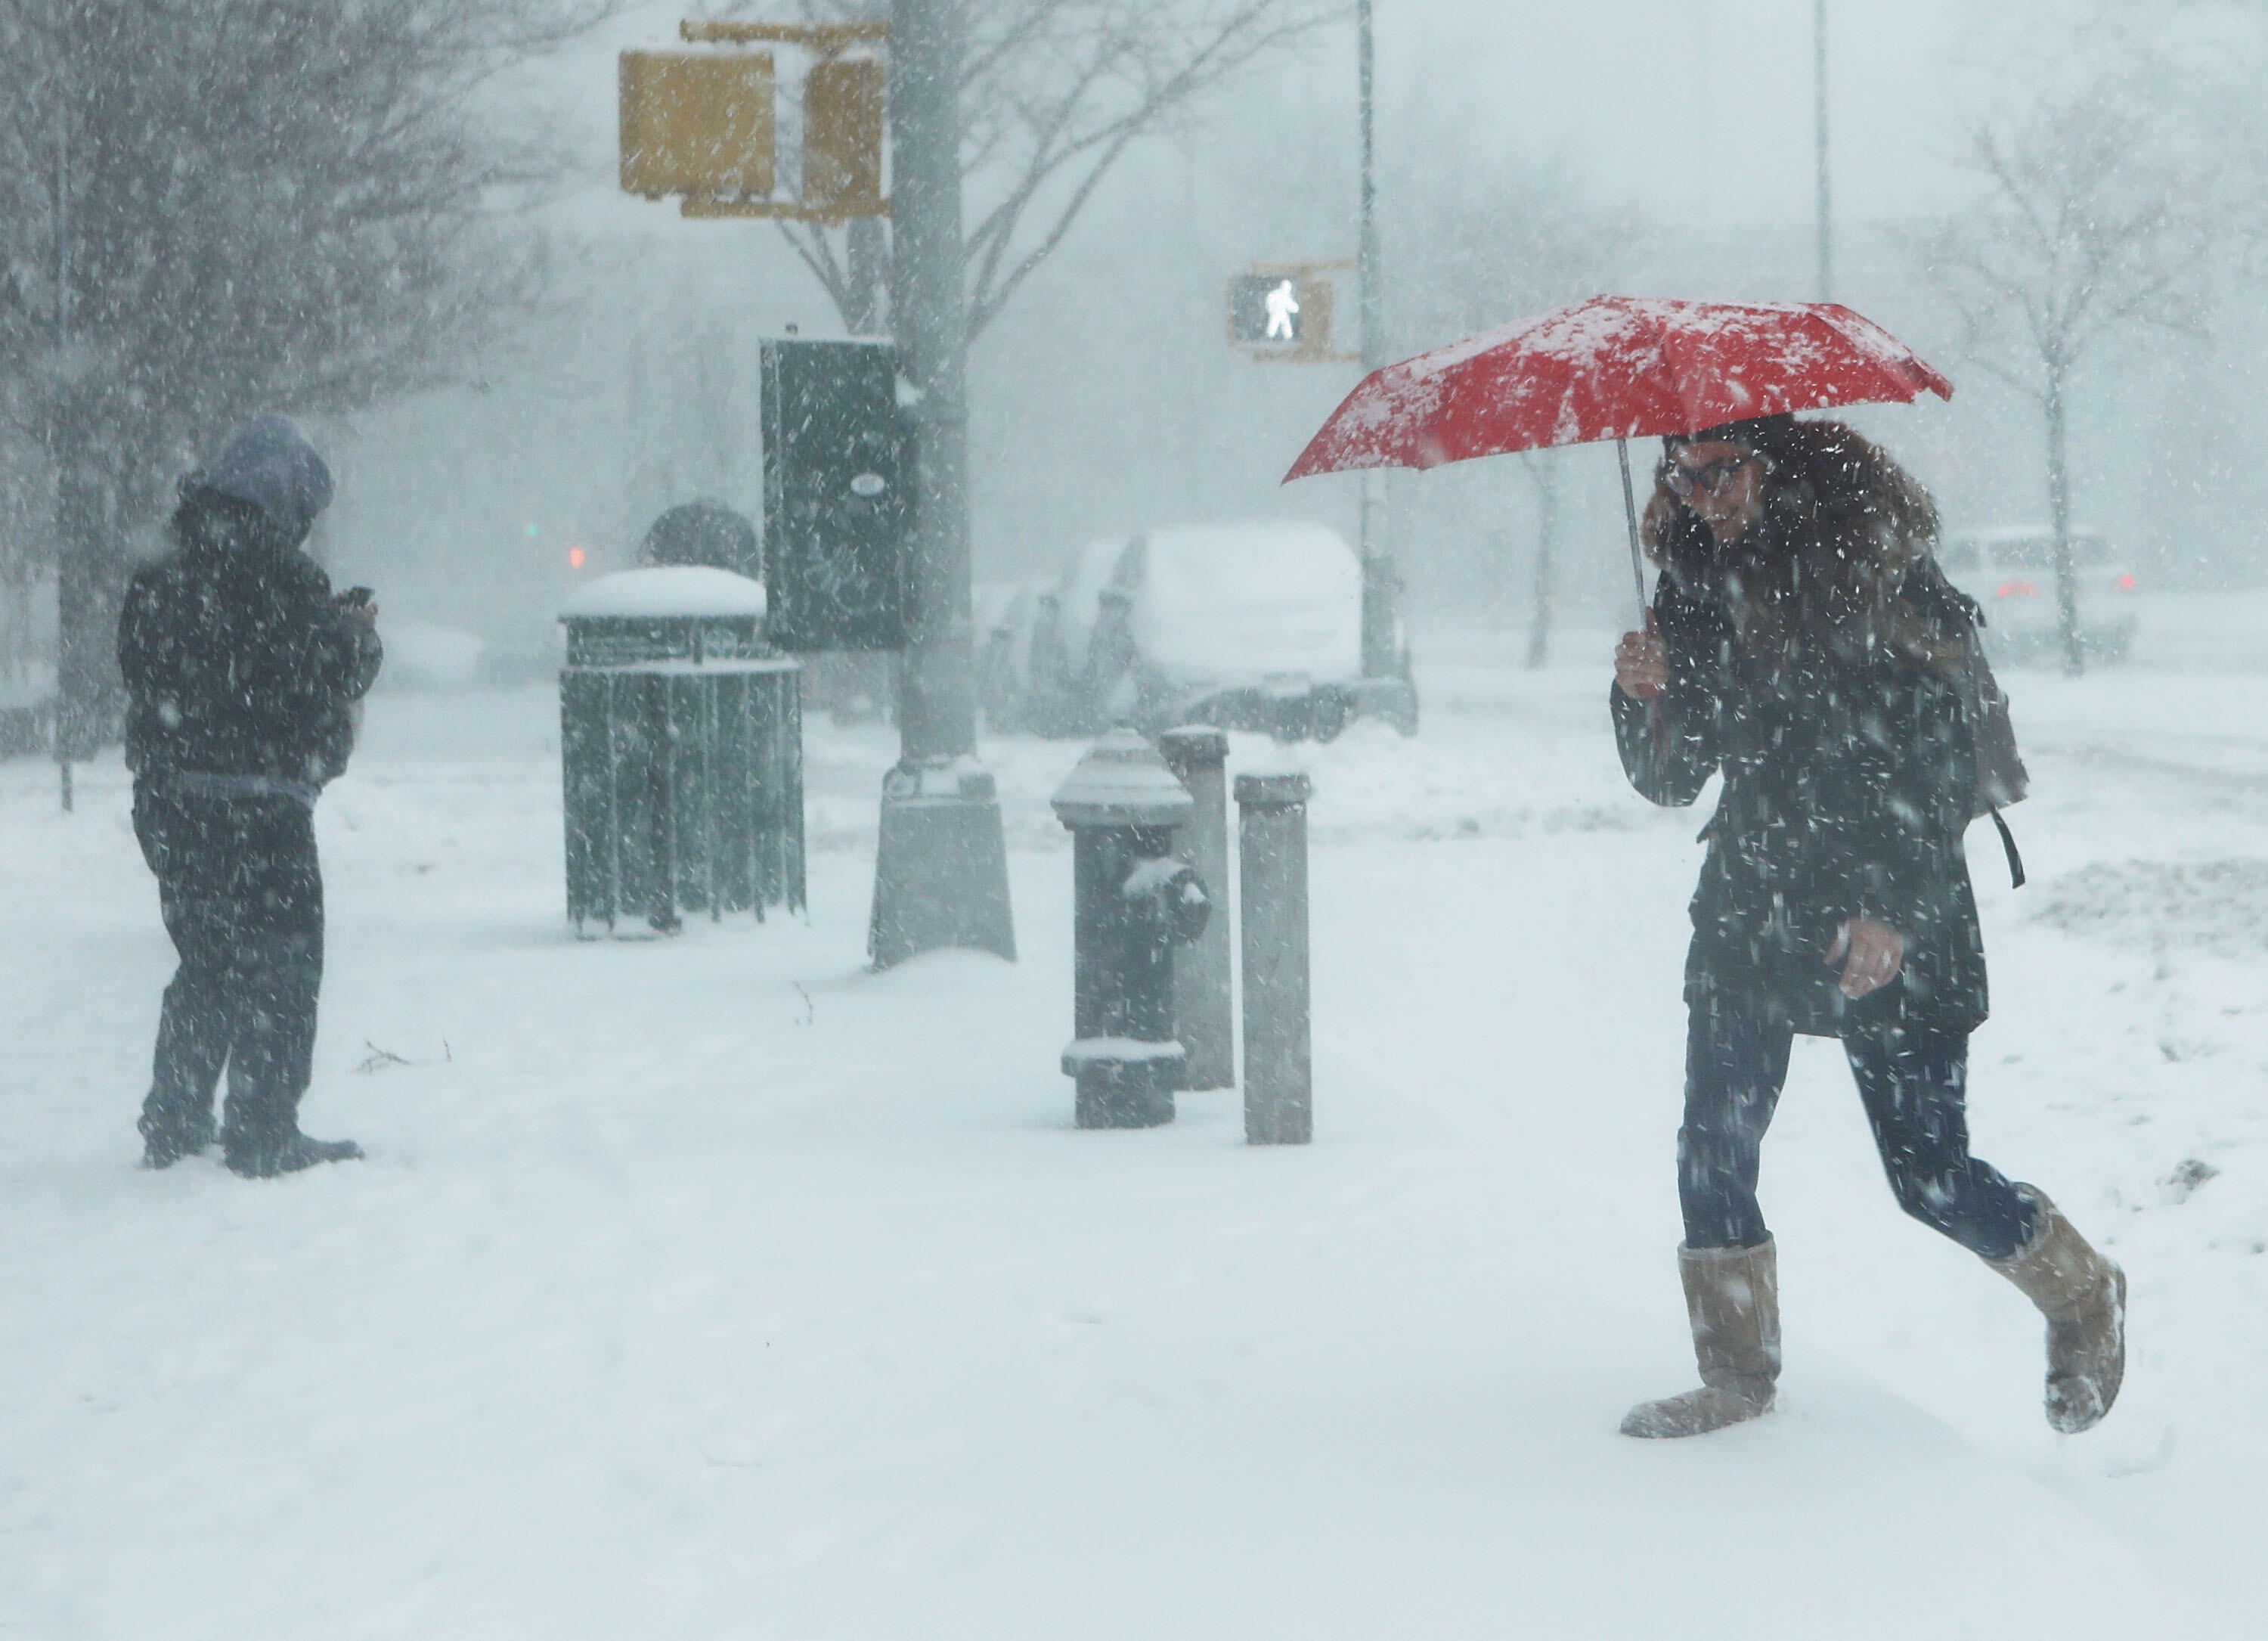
[1237, 625]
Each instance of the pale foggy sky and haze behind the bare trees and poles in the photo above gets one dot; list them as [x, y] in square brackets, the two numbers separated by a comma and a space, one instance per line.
[1530, 155]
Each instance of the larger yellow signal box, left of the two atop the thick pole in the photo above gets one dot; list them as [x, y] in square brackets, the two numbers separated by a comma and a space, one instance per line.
[697, 124]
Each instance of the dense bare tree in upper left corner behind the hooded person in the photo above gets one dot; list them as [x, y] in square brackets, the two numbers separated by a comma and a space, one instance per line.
[269, 205]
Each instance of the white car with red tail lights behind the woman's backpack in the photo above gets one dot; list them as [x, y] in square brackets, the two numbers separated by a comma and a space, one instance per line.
[2013, 575]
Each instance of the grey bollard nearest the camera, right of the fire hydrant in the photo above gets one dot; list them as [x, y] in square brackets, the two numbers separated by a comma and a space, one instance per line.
[1271, 845]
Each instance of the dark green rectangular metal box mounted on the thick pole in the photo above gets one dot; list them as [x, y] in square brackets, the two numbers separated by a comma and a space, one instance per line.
[838, 480]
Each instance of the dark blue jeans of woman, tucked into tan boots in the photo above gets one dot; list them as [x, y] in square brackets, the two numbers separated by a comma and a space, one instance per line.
[1915, 1093]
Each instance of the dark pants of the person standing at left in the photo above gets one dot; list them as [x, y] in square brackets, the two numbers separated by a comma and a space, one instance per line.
[242, 893]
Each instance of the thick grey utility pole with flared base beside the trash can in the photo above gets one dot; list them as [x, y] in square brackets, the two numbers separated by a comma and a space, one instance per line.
[942, 861]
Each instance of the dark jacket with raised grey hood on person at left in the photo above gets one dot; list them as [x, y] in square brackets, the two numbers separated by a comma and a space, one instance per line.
[237, 659]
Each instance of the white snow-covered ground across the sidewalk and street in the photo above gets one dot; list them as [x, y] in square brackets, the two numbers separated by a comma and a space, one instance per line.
[718, 1288]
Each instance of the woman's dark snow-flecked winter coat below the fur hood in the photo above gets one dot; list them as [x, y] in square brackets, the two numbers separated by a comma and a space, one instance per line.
[1847, 786]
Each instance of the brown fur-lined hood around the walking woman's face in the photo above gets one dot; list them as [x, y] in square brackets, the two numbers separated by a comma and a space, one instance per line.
[1822, 575]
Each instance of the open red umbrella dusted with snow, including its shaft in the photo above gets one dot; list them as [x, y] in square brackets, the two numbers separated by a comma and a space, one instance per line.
[1616, 369]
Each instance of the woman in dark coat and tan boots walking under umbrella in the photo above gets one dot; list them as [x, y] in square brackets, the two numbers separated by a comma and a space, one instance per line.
[1795, 648]
